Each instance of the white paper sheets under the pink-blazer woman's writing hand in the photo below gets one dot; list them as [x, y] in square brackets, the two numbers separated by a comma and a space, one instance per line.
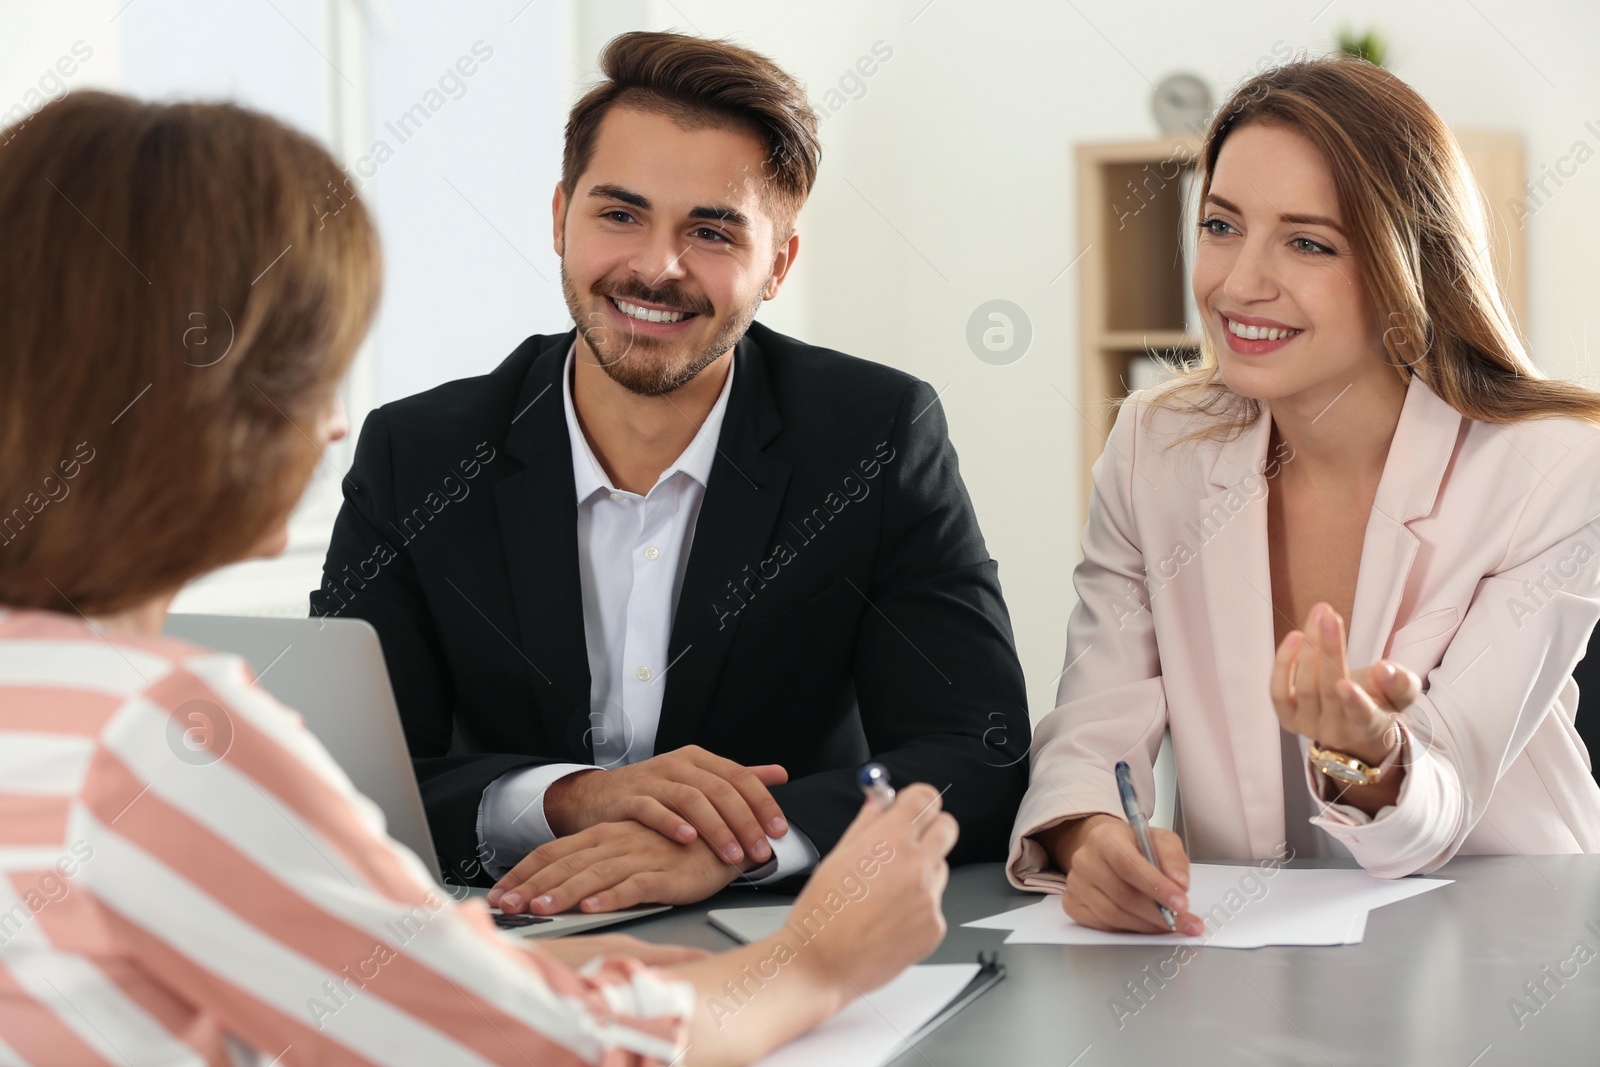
[1244, 908]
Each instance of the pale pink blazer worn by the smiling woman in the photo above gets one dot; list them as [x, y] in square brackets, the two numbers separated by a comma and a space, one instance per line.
[1481, 572]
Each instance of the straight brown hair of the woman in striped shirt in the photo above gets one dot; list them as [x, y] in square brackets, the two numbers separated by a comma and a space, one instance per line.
[182, 300]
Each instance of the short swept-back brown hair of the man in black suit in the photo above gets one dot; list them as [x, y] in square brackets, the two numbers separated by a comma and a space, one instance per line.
[703, 84]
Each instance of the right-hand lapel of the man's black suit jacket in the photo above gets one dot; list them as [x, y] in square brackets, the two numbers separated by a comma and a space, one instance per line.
[735, 526]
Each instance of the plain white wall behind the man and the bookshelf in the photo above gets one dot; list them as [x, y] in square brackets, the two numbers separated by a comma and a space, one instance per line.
[950, 183]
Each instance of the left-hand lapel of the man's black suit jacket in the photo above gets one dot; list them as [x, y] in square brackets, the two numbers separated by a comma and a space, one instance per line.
[538, 524]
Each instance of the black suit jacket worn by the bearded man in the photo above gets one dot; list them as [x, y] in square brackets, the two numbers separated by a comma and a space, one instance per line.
[838, 604]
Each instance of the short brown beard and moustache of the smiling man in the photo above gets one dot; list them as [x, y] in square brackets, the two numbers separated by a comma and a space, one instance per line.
[626, 356]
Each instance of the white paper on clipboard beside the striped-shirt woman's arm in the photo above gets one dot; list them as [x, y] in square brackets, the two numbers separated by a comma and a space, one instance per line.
[876, 1026]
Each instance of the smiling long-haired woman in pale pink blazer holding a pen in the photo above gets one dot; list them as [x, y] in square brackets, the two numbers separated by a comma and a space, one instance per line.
[1351, 559]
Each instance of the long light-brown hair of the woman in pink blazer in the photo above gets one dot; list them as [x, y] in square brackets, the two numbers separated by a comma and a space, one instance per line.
[1418, 228]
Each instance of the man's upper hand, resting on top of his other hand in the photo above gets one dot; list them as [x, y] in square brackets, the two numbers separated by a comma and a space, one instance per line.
[682, 796]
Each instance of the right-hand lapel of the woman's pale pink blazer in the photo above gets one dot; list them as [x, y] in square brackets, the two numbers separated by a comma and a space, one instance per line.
[1420, 454]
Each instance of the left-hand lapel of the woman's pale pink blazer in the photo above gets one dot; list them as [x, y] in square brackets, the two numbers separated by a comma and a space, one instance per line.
[1230, 537]
